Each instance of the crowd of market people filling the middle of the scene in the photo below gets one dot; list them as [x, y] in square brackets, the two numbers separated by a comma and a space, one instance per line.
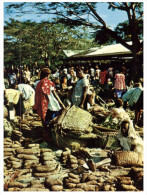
[51, 93]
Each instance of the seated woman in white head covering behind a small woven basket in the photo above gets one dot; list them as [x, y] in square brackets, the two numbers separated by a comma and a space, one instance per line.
[129, 138]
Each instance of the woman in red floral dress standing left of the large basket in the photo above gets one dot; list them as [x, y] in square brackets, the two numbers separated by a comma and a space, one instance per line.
[42, 93]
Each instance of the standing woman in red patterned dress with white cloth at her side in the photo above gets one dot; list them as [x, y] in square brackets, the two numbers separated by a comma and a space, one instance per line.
[46, 104]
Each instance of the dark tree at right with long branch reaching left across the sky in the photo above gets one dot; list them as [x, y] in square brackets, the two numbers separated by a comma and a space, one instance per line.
[84, 13]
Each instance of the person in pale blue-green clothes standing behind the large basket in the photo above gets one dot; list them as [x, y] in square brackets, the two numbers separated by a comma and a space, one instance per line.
[79, 94]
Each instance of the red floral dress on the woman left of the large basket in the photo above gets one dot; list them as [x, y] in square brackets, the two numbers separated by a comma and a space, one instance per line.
[41, 99]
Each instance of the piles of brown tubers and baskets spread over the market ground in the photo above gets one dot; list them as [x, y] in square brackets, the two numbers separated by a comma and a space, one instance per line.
[31, 164]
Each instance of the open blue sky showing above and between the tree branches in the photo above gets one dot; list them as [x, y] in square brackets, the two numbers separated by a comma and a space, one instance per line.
[112, 18]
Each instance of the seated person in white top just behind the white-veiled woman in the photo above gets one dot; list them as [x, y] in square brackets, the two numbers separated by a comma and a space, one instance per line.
[119, 112]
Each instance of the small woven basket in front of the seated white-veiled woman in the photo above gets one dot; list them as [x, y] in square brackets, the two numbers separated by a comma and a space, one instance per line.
[127, 158]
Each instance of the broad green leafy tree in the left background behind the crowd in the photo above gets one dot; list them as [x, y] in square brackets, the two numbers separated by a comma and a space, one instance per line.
[41, 42]
